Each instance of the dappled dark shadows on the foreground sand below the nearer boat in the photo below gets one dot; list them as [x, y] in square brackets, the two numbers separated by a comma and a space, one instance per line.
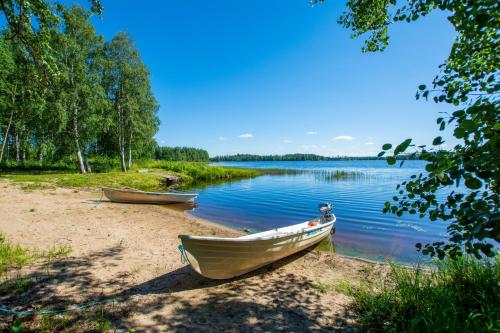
[269, 299]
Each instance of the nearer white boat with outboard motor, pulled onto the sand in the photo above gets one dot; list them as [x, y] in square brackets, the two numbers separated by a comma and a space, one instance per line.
[224, 258]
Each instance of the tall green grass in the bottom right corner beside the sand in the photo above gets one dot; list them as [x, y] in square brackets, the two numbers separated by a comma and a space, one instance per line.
[460, 295]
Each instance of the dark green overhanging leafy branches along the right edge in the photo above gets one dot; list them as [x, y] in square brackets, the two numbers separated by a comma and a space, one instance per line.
[467, 80]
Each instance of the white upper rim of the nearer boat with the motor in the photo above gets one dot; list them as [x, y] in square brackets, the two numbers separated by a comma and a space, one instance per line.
[270, 237]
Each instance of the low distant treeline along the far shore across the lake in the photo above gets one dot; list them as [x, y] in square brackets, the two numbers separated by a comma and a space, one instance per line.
[296, 157]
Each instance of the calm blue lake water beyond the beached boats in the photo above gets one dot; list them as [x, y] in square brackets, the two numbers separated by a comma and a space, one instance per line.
[363, 230]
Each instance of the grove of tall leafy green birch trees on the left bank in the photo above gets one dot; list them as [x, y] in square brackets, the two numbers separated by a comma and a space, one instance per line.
[75, 118]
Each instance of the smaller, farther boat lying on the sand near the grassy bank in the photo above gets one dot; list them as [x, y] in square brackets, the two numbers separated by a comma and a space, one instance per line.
[141, 197]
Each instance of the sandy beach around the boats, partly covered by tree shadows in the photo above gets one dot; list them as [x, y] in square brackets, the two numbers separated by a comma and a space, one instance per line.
[129, 253]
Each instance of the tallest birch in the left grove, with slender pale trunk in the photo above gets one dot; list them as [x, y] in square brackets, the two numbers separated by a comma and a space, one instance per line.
[79, 50]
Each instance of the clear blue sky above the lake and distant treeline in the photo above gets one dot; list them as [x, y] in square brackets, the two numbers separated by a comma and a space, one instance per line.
[277, 76]
